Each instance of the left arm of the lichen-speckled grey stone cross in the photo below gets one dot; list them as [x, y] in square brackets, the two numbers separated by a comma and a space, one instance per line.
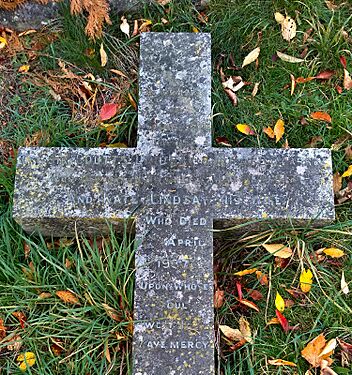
[61, 190]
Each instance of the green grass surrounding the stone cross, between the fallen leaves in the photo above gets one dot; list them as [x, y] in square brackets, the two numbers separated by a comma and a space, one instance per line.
[82, 338]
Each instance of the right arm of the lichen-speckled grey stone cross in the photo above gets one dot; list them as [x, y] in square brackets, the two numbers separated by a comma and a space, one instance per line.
[293, 185]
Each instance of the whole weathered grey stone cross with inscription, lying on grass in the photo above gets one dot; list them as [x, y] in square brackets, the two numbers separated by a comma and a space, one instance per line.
[176, 186]
